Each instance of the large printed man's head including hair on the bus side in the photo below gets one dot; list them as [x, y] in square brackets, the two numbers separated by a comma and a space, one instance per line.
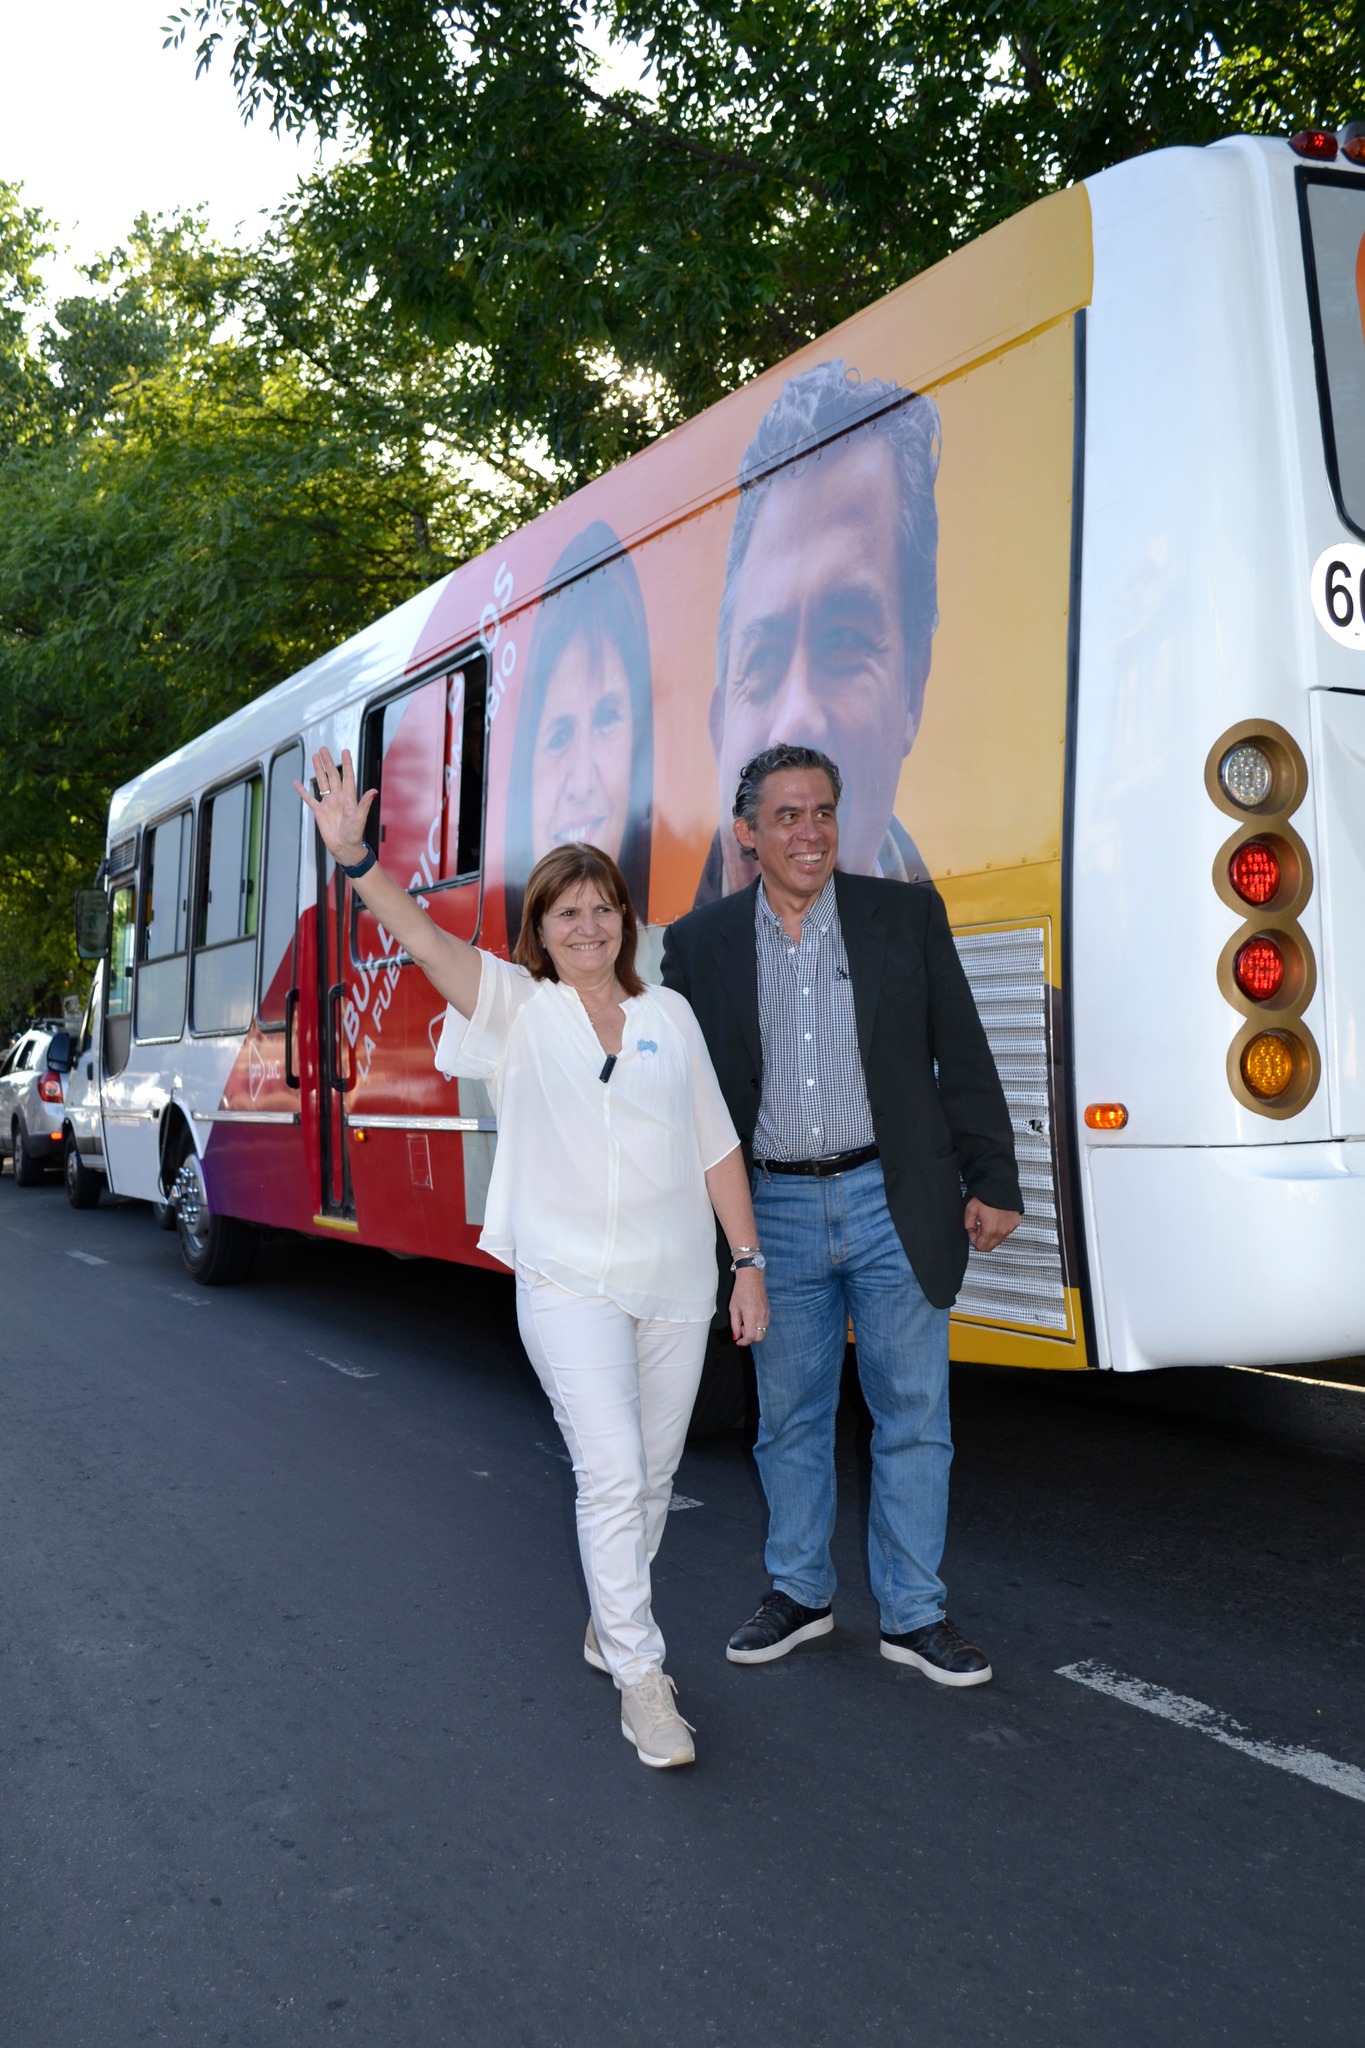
[828, 615]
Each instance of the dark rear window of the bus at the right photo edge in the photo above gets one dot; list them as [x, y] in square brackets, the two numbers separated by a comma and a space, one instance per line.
[1335, 245]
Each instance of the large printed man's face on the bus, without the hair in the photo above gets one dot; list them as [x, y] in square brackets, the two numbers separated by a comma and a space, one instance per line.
[818, 644]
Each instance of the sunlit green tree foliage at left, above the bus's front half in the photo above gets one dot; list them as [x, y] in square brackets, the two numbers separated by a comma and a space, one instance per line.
[212, 472]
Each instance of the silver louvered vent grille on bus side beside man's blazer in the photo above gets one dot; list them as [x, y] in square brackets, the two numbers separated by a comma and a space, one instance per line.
[1024, 1281]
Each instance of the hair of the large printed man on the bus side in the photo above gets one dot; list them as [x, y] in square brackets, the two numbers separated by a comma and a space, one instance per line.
[822, 411]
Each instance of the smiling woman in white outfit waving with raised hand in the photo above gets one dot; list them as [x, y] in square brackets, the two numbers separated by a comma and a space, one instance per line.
[613, 1152]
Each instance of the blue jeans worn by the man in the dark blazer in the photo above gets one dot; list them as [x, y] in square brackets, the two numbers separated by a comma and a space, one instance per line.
[834, 1254]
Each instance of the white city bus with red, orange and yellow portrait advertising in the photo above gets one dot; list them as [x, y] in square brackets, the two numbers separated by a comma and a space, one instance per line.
[1059, 552]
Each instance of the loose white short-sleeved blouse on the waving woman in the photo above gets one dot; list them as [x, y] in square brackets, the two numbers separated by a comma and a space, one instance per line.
[597, 1185]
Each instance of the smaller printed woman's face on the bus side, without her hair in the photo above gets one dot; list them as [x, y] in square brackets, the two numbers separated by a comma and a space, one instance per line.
[580, 773]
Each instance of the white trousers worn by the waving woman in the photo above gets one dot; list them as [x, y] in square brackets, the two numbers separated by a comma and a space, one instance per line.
[623, 1394]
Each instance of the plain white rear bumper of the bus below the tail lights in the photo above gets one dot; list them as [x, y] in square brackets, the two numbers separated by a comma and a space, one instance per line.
[1241, 1256]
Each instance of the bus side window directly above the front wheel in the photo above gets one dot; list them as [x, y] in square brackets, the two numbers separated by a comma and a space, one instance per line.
[228, 904]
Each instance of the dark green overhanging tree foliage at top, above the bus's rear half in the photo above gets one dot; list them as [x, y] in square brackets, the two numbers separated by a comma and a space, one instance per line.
[615, 257]
